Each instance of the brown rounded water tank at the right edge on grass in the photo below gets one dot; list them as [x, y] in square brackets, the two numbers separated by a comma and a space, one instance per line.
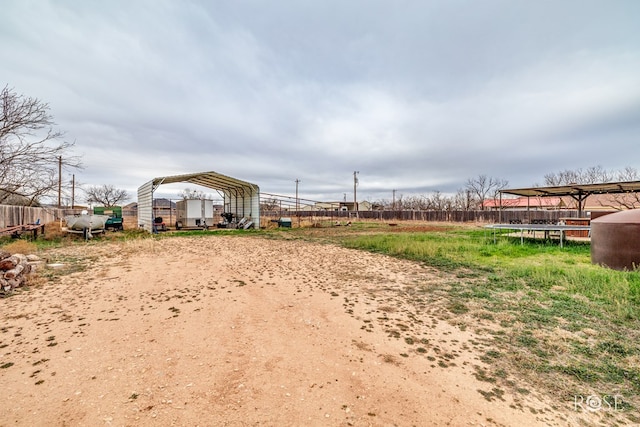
[615, 240]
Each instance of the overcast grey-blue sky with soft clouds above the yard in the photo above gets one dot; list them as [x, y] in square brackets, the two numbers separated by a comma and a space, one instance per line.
[418, 96]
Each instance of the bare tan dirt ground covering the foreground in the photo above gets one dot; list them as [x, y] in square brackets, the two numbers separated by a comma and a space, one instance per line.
[228, 331]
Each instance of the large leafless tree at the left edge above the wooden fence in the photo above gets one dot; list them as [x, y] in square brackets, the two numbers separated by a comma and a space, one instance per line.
[30, 150]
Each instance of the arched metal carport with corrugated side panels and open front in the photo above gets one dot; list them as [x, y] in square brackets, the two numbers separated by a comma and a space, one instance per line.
[240, 197]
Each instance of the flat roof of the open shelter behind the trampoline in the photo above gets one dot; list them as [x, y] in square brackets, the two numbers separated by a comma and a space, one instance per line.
[577, 189]
